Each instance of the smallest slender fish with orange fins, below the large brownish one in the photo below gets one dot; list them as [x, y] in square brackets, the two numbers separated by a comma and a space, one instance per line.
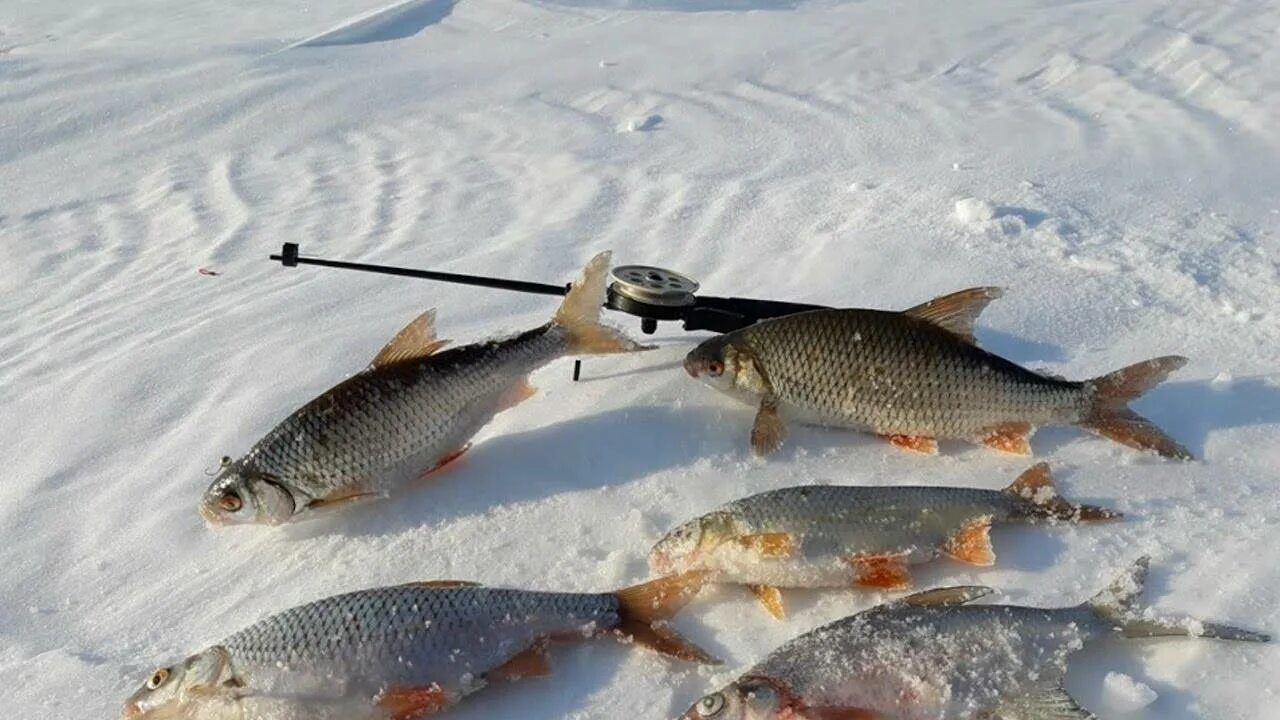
[831, 536]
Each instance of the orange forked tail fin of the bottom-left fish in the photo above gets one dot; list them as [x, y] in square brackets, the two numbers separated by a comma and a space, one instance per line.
[644, 609]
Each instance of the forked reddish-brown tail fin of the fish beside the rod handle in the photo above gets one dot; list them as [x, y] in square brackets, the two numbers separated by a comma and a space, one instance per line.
[1112, 418]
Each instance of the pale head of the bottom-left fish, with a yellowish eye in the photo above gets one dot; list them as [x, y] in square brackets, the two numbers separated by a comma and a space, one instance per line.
[176, 691]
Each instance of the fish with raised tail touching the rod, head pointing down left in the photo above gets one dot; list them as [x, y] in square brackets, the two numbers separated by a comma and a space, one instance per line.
[413, 412]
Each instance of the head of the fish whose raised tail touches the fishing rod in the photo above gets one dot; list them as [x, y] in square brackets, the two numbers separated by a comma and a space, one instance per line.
[241, 495]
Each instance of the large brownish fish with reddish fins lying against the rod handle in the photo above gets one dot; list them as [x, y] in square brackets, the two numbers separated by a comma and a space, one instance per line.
[915, 377]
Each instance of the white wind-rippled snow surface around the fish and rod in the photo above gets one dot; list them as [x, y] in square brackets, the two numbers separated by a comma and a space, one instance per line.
[1114, 165]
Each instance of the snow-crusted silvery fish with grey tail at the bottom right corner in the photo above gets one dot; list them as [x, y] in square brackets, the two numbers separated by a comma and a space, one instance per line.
[932, 657]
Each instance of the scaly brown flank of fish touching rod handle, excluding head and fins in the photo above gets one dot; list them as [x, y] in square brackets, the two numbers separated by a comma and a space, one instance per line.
[879, 371]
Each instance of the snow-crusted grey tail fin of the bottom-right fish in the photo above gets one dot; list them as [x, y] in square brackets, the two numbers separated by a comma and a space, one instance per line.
[1119, 605]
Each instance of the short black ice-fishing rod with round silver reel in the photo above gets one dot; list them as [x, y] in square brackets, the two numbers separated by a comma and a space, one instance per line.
[646, 291]
